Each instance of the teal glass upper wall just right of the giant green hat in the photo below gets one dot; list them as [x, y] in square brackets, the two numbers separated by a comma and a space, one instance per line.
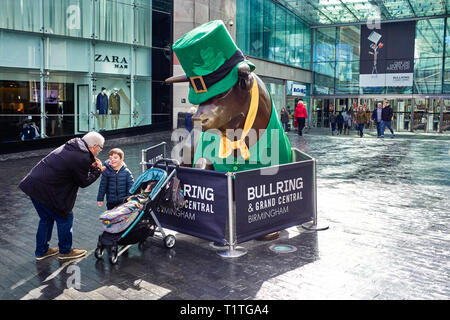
[267, 30]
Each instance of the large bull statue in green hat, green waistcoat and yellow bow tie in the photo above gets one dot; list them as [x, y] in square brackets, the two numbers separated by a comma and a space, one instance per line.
[240, 128]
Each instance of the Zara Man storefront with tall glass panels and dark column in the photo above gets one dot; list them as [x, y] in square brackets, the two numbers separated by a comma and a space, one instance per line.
[67, 52]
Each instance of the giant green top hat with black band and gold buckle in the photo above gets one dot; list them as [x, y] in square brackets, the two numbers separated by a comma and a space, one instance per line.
[210, 59]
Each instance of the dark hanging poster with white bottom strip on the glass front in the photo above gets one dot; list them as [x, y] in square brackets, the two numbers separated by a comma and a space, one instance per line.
[387, 55]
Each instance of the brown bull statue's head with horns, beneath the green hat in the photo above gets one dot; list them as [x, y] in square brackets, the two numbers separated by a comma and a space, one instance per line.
[229, 109]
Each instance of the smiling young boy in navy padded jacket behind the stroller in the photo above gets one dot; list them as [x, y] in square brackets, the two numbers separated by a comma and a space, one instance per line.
[116, 180]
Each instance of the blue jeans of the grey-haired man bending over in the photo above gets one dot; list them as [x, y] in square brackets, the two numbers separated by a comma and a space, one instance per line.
[45, 228]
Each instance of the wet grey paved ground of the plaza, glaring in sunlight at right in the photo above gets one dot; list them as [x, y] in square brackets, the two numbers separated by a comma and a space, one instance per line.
[386, 203]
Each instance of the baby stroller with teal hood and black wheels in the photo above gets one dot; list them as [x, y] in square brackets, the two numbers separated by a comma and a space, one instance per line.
[135, 221]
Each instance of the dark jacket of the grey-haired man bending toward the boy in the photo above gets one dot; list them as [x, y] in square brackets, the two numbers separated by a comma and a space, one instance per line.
[55, 180]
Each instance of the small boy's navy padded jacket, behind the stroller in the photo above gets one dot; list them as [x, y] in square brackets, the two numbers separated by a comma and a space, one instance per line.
[116, 186]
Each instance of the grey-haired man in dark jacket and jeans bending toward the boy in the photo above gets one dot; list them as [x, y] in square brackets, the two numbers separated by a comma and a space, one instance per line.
[53, 184]
